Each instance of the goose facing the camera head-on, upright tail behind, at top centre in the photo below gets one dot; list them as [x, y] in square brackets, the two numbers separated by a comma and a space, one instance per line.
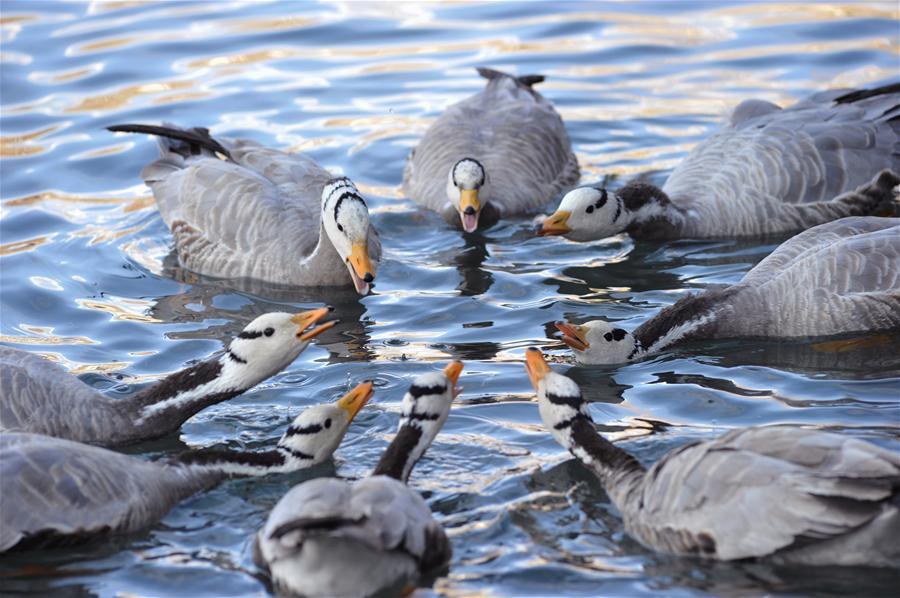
[501, 152]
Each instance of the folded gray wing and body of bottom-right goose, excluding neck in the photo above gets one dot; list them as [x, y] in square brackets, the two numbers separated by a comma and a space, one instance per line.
[758, 491]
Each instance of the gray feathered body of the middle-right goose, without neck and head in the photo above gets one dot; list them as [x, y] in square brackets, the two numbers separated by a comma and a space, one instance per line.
[842, 276]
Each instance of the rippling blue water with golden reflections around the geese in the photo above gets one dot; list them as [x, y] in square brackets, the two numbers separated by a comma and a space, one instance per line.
[87, 279]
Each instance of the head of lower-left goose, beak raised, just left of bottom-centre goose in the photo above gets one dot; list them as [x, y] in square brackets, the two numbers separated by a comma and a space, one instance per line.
[318, 431]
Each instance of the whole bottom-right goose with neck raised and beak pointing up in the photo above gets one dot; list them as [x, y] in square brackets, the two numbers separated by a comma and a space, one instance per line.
[785, 493]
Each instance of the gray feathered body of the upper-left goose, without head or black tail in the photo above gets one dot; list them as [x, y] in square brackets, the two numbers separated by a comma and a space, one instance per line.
[254, 217]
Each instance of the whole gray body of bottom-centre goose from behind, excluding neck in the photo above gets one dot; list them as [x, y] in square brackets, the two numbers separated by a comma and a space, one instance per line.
[368, 533]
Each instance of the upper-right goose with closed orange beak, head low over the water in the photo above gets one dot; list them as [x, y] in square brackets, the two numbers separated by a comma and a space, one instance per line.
[769, 170]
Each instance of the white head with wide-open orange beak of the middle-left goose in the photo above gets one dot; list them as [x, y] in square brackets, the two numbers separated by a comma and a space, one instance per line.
[269, 344]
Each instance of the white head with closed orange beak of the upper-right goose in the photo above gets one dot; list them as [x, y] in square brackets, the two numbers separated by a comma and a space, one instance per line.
[586, 214]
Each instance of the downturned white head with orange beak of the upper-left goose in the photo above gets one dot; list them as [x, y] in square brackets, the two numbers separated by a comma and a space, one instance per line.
[345, 219]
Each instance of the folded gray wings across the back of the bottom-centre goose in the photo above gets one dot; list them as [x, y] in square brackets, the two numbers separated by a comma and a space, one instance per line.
[379, 512]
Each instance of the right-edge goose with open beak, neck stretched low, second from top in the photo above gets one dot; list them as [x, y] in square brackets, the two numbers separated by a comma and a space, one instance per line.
[838, 277]
